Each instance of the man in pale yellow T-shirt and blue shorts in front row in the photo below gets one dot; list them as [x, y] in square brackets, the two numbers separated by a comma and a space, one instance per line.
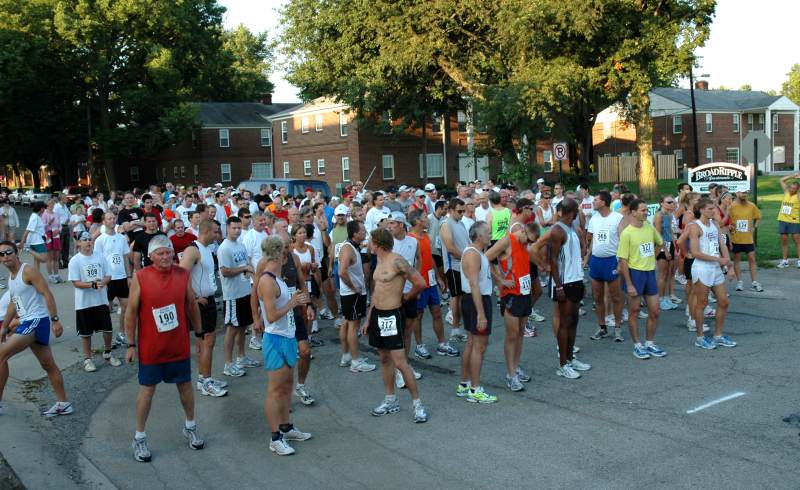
[636, 254]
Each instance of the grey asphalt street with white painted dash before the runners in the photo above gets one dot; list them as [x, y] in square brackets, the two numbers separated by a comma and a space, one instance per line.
[625, 423]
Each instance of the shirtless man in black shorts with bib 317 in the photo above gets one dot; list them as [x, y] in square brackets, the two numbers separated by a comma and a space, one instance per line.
[385, 321]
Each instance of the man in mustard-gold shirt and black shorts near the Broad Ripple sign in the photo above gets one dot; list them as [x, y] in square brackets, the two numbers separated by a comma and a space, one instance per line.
[744, 221]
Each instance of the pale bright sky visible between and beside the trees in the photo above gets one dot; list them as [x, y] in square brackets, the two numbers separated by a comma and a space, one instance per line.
[751, 42]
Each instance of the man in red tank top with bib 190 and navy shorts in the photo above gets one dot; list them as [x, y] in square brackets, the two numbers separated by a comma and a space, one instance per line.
[160, 308]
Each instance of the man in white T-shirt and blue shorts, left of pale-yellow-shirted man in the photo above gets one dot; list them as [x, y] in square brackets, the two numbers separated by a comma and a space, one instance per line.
[602, 233]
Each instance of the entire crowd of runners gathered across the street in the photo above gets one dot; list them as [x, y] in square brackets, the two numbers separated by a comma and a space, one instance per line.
[178, 261]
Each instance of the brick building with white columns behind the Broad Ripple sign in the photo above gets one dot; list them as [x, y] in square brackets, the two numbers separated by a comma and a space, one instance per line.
[724, 120]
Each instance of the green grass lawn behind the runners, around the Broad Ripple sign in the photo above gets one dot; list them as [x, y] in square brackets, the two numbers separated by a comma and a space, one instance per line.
[769, 200]
